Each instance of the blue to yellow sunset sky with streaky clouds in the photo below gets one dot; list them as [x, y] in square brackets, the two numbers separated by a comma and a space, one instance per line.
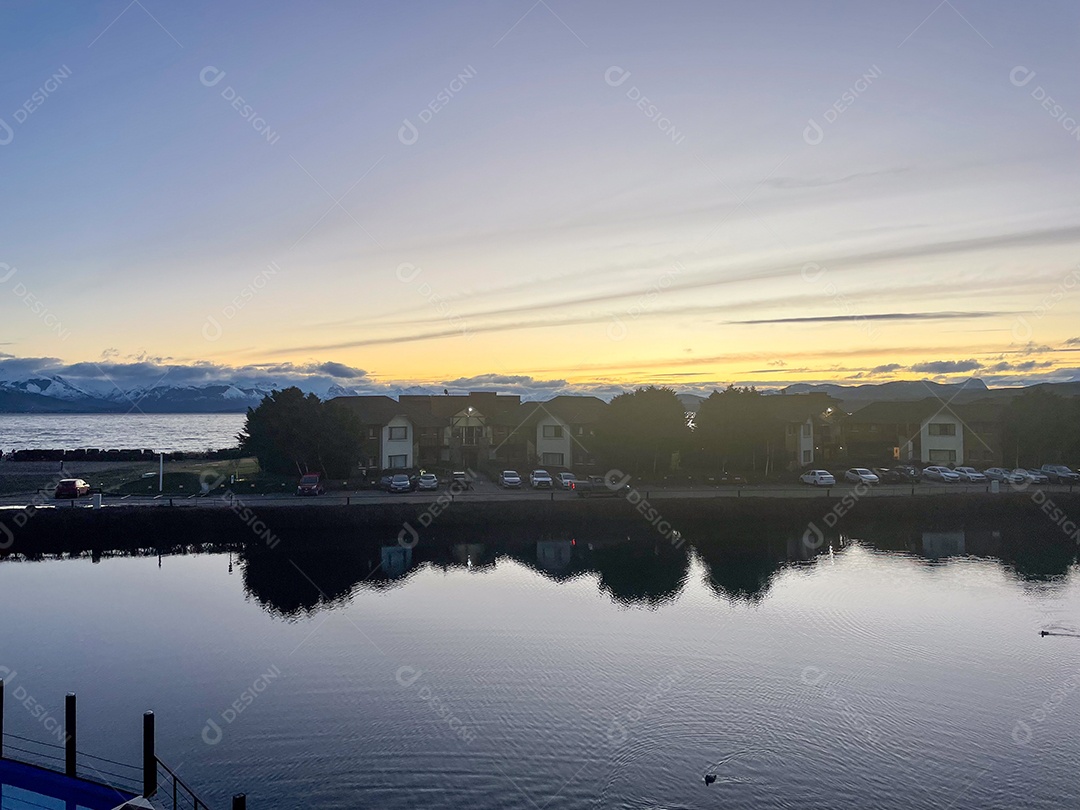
[541, 196]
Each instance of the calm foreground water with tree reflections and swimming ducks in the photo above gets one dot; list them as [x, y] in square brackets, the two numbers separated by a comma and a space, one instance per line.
[548, 674]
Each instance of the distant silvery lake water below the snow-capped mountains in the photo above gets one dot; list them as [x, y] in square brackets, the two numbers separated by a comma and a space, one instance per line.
[161, 433]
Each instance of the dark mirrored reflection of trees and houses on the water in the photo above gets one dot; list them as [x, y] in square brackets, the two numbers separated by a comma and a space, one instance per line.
[301, 578]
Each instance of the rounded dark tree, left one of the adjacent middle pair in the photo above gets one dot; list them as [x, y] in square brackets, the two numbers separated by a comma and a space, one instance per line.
[643, 430]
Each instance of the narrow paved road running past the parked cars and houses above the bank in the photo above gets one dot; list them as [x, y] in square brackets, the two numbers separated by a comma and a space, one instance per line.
[487, 492]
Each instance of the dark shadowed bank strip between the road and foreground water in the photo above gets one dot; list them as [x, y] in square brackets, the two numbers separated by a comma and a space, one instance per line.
[1048, 517]
